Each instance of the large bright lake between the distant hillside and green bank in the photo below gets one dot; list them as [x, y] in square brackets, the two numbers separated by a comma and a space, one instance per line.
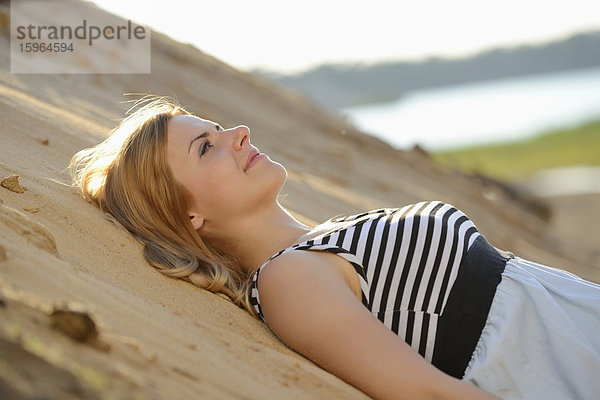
[494, 111]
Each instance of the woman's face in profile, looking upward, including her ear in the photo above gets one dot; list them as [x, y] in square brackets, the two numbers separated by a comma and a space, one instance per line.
[211, 162]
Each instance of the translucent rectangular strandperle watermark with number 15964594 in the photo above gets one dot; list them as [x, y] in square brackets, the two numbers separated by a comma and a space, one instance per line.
[73, 36]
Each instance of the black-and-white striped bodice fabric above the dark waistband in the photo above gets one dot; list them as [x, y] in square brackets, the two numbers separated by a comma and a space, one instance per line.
[408, 260]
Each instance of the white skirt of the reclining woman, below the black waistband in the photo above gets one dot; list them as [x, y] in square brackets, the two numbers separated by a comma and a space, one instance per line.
[542, 336]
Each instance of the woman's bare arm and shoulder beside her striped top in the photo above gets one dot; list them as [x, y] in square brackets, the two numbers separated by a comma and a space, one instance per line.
[310, 307]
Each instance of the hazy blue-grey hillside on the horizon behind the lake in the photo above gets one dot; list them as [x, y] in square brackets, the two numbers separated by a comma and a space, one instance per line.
[338, 86]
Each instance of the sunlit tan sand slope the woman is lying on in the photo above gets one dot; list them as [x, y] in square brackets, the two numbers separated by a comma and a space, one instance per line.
[83, 316]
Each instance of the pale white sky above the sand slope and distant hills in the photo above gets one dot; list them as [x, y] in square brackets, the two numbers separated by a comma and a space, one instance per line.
[288, 36]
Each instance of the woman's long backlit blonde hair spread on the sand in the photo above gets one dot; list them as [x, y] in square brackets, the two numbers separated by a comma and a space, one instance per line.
[127, 176]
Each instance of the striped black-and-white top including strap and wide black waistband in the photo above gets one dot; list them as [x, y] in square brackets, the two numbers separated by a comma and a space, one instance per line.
[425, 272]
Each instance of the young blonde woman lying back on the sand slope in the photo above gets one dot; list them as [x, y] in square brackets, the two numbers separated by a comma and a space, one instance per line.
[408, 302]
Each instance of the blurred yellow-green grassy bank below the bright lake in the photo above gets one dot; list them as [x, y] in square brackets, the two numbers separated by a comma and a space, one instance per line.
[514, 160]
